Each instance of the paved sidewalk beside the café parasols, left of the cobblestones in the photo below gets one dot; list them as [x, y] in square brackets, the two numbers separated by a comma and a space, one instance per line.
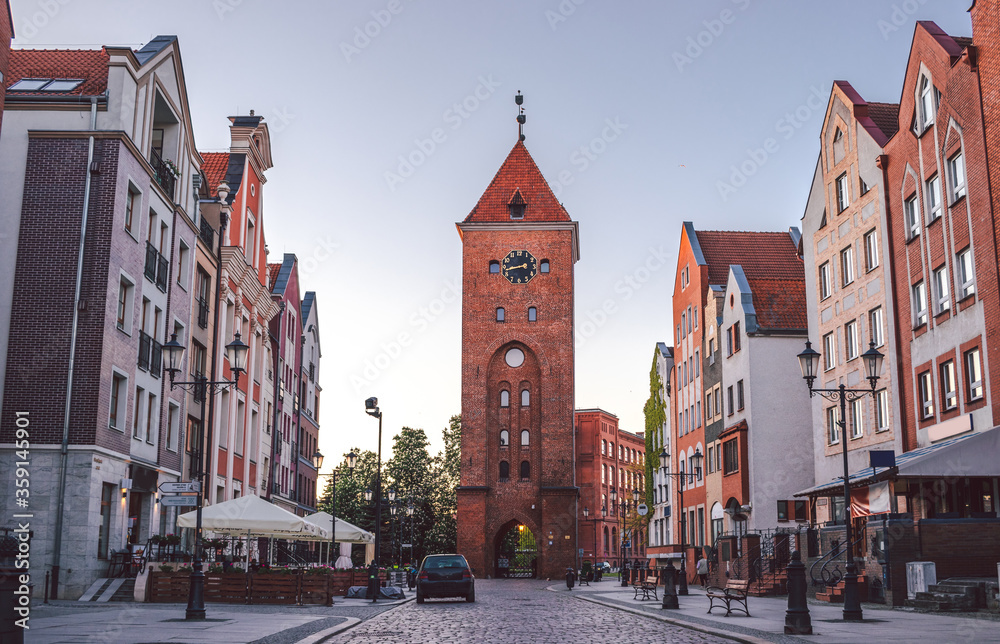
[70, 622]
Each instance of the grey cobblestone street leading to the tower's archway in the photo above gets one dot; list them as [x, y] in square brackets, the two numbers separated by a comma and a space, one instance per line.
[515, 611]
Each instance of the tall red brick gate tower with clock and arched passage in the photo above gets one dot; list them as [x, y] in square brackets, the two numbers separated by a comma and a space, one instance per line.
[518, 250]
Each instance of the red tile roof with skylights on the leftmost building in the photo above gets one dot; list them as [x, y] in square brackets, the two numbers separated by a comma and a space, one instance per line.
[89, 65]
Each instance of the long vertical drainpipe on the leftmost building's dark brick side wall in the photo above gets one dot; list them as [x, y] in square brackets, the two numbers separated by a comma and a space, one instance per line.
[64, 449]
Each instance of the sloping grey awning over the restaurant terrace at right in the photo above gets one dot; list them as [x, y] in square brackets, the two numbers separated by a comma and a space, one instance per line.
[973, 454]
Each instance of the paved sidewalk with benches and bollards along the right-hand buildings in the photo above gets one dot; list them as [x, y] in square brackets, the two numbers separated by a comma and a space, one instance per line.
[882, 625]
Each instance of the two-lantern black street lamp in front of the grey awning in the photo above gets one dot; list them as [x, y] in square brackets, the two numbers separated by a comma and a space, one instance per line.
[809, 364]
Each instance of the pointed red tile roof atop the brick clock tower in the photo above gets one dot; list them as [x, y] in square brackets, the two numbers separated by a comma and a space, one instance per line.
[518, 173]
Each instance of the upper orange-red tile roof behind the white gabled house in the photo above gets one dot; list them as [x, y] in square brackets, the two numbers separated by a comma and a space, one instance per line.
[768, 255]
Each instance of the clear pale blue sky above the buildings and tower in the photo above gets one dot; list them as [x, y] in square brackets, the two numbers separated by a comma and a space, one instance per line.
[389, 118]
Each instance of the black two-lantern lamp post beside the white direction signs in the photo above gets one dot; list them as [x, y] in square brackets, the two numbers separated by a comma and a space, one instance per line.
[236, 352]
